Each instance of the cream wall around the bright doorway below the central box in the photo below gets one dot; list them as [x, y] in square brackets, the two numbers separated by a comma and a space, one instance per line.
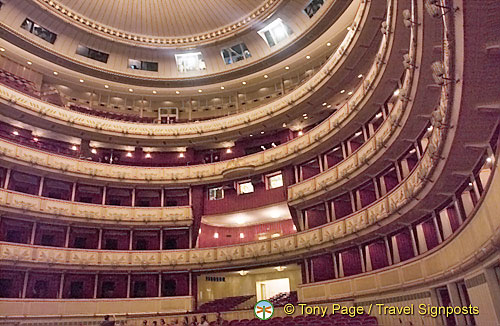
[236, 285]
